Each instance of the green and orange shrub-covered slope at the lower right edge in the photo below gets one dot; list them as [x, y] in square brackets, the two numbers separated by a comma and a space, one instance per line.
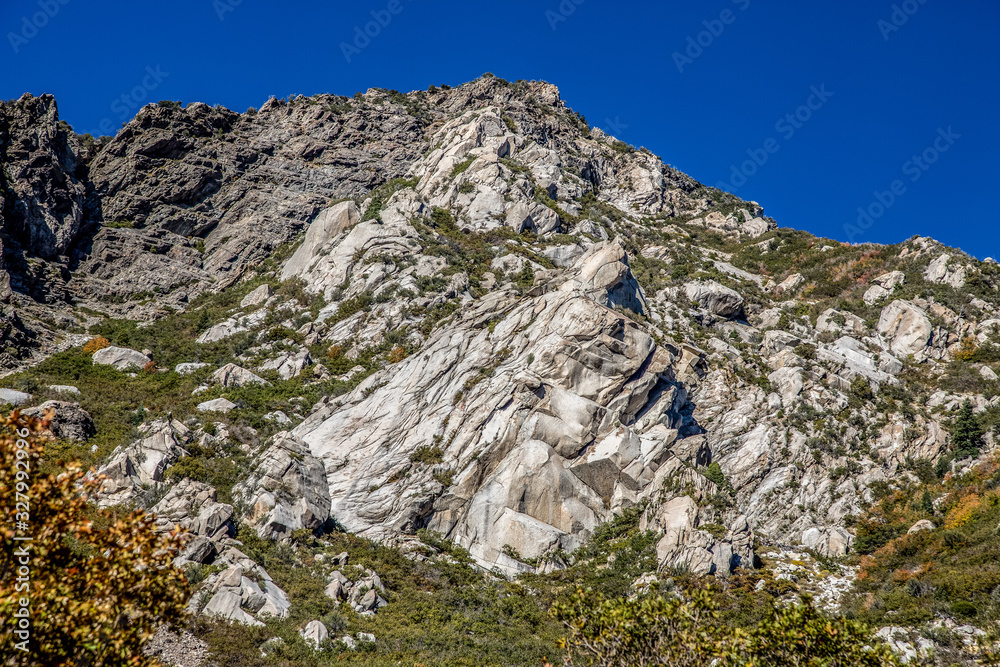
[950, 567]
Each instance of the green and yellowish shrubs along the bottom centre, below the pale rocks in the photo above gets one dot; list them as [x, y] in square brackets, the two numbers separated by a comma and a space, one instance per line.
[443, 611]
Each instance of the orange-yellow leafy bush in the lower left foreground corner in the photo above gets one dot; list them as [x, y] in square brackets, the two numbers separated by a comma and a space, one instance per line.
[95, 584]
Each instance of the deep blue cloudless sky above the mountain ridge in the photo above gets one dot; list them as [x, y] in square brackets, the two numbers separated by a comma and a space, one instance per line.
[894, 85]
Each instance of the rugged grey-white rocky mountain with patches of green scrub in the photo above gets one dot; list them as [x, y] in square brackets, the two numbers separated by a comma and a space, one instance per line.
[464, 312]
